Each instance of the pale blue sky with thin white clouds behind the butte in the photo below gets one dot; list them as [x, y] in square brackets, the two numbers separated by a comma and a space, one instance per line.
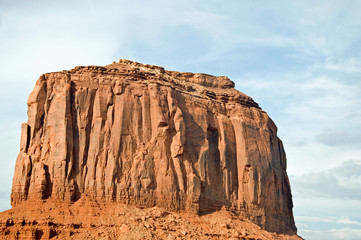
[300, 60]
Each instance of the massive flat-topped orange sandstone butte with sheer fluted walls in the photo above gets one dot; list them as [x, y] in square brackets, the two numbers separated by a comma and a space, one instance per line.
[140, 135]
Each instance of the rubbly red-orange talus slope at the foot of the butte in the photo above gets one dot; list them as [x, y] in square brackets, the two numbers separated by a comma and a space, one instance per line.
[87, 219]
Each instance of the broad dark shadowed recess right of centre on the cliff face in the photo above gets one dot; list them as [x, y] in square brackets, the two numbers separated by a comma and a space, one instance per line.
[202, 147]
